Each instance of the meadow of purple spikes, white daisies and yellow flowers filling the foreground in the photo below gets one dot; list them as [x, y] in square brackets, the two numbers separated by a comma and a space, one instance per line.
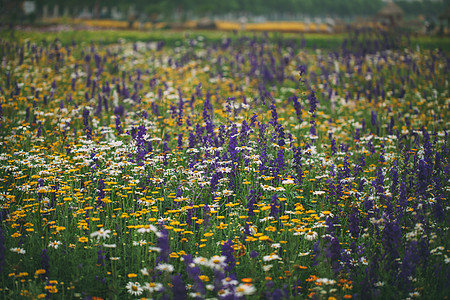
[249, 167]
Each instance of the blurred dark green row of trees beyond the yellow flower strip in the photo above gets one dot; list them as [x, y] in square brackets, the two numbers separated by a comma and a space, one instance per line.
[168, 8]
